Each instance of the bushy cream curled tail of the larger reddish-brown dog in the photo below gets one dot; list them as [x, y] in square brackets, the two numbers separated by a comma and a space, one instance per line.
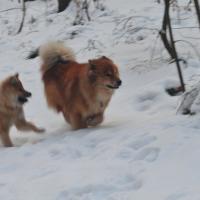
[52, 53]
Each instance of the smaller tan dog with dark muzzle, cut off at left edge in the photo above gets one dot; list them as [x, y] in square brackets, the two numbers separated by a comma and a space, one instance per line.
[12, 98]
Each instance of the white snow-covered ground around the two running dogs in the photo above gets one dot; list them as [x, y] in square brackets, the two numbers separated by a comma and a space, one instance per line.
[143, 150]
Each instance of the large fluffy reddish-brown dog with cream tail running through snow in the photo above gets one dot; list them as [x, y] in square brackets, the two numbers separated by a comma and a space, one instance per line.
[81, 91]
